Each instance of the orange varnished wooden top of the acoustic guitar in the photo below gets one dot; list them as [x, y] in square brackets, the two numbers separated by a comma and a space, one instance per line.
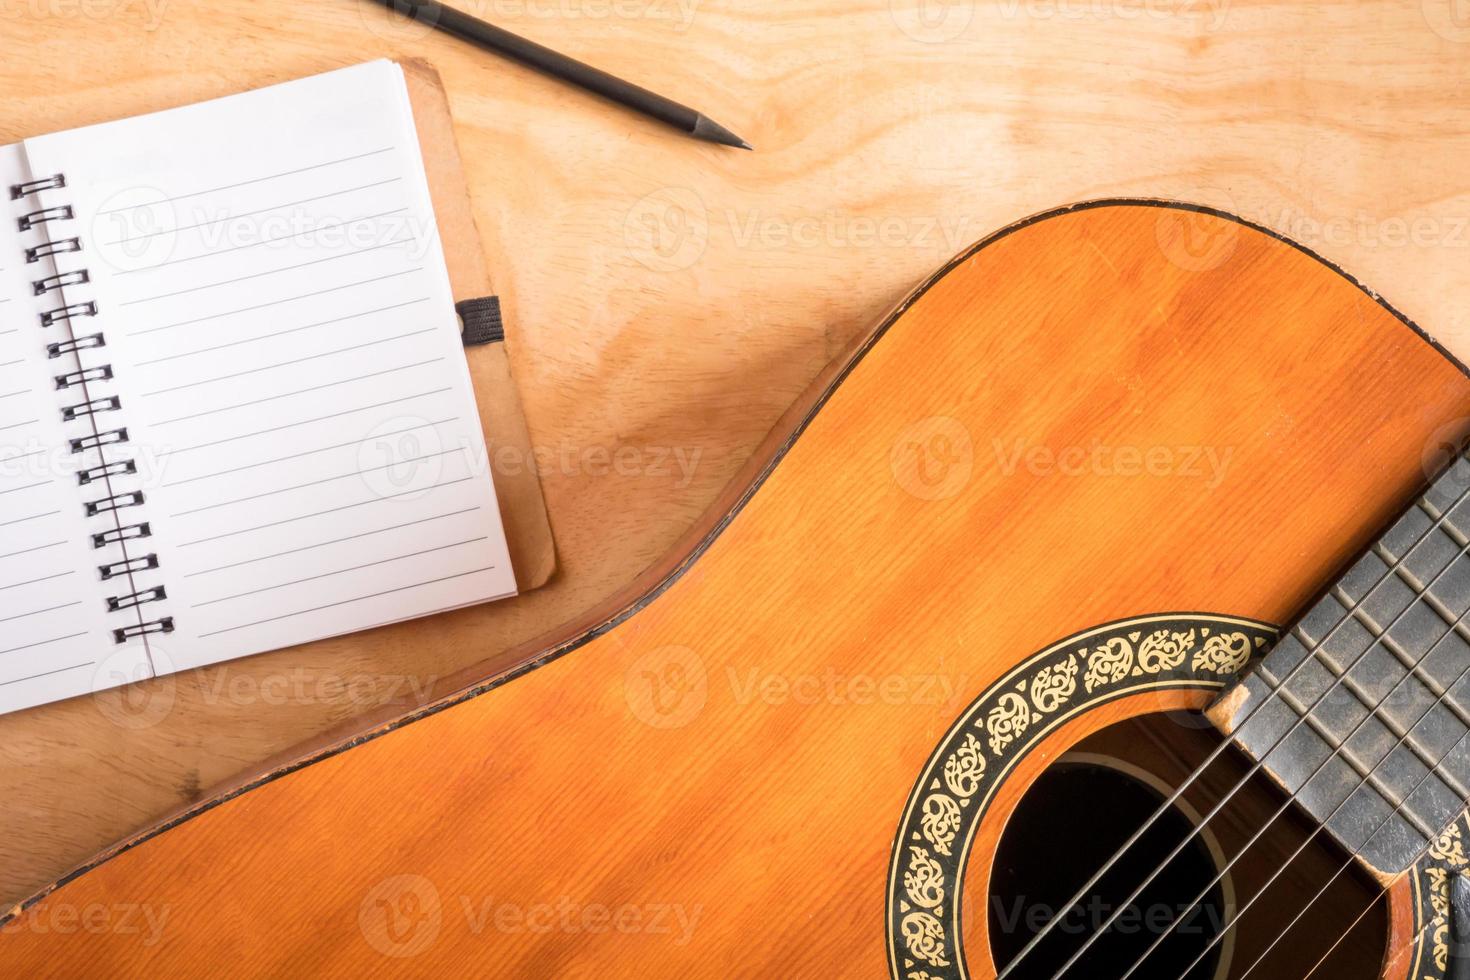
[852, 609]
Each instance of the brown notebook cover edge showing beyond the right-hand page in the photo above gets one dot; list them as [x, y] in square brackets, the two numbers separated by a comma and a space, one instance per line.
[523, 509]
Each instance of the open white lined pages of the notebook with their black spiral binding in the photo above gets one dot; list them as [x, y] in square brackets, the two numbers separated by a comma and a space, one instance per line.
[236, 412]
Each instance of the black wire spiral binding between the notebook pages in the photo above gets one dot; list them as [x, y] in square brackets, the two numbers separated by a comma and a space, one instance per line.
[90, 409]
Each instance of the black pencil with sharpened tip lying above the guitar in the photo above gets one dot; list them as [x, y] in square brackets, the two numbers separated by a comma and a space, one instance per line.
[568, 70]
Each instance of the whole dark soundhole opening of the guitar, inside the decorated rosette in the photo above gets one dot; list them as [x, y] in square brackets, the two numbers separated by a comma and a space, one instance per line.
[1294, 904]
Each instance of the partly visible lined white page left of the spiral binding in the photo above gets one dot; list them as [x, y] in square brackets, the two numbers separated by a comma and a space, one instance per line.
[55, 628]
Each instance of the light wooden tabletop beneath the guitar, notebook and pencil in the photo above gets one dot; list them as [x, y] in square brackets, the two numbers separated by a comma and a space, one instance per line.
[668, 300]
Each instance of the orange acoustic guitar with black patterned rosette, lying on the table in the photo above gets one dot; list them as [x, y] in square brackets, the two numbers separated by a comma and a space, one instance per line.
[1102, 615]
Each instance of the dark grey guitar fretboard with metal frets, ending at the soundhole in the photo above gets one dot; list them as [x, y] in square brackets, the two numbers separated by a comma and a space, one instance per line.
[1362, 712]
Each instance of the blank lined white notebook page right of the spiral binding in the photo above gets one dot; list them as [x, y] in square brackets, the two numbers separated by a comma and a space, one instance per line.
[283, 333]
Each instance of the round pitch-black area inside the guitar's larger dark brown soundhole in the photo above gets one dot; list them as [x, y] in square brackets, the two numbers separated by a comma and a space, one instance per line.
[1074, 819]
